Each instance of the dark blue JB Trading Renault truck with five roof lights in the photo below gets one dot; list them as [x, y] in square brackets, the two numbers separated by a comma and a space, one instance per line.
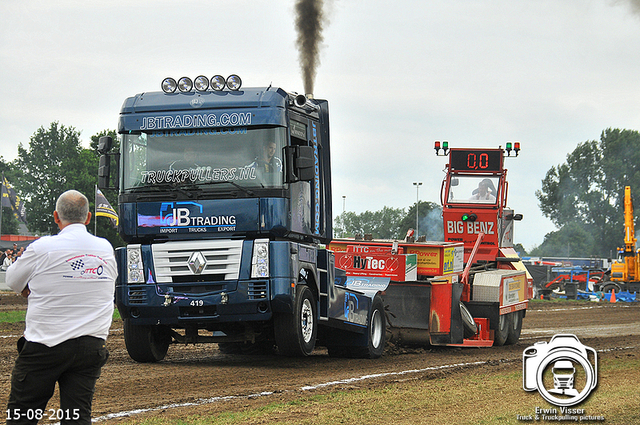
[225, 204]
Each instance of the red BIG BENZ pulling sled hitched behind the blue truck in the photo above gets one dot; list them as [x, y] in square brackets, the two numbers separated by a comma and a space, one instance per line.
[470, 290]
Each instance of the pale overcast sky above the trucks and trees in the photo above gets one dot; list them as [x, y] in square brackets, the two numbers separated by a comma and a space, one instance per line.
[398, 76]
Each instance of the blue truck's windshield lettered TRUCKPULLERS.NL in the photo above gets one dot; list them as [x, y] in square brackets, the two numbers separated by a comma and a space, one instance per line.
[241, 157]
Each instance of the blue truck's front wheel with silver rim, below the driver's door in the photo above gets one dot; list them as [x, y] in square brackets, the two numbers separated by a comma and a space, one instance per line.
[296, 333]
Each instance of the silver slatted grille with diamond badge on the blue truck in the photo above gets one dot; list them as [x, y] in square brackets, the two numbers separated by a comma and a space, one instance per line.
[222, 260]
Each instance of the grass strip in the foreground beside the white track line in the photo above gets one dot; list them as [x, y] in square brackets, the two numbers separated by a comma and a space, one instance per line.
[467, 397]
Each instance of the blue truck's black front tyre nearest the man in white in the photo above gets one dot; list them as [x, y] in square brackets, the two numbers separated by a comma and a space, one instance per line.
[146, 344]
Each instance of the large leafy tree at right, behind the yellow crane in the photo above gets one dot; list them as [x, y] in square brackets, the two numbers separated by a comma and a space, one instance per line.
[584, 196]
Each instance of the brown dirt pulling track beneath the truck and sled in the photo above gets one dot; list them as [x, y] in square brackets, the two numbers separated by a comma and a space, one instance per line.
[213, 381]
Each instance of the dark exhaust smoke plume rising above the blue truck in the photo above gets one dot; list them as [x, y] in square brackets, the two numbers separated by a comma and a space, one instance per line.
[309, 22]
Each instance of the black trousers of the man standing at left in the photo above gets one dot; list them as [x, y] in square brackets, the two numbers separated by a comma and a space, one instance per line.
[74, 364]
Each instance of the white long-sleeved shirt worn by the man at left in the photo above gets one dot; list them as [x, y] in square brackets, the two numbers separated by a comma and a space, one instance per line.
[71, 277]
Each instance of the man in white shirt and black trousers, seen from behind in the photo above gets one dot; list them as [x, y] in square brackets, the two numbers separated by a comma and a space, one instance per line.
[69, 280]
